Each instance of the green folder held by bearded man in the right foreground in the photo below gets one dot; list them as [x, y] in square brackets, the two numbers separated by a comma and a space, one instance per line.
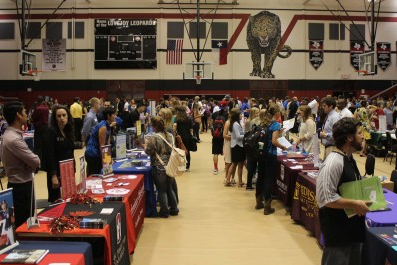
[369, 189]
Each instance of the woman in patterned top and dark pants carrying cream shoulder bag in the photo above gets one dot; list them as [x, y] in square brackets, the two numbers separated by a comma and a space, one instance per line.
[156, 145]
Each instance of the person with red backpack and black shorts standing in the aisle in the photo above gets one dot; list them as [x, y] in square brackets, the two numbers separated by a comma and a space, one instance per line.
[219, 119]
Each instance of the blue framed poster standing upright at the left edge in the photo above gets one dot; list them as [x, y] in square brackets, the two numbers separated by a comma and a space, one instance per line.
[7, 231]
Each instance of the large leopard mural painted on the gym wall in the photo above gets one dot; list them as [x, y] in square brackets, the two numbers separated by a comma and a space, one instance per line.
[263, 37]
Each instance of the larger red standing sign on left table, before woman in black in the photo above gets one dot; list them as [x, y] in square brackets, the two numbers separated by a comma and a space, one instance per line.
[68, 183]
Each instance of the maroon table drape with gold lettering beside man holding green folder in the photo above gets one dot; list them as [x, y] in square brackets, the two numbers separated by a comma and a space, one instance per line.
[304, 205]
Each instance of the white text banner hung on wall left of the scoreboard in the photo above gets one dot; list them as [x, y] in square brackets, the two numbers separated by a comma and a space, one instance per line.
[54, 55]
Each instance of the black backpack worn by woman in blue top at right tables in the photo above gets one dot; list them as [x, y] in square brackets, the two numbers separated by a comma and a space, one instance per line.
[251, 143]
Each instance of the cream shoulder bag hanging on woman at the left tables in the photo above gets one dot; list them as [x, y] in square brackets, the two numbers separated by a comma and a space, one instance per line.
[176, 165]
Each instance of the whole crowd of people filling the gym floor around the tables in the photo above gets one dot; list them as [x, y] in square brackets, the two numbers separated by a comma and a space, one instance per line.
[342, 125]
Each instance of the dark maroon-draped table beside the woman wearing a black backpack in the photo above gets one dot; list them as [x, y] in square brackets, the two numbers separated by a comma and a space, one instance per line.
[286, 176]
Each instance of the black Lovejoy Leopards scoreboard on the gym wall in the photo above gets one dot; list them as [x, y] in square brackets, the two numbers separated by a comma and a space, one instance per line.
[125, 43]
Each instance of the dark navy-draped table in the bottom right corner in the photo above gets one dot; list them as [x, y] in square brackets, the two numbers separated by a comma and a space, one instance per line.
[380, 246]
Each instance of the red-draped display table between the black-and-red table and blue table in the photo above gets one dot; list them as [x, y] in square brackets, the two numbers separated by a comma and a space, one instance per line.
[134, 203]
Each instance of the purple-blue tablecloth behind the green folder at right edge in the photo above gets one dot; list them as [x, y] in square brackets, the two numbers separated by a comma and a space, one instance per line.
[384, 218]
